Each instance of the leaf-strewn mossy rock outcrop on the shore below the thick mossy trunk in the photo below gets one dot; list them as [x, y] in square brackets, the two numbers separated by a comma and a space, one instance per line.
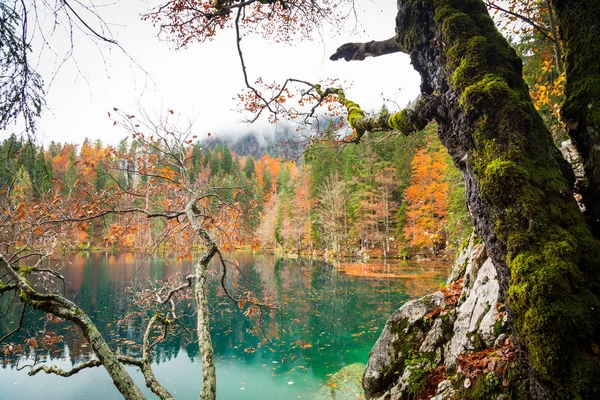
[454, 343]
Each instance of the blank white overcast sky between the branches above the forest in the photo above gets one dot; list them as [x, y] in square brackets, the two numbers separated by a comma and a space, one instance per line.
[201, 81]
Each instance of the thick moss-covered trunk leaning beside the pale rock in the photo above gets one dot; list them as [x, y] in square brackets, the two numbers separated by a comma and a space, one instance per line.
[518, 186]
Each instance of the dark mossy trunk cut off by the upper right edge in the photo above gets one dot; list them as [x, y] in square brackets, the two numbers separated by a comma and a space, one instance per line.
[580, 34]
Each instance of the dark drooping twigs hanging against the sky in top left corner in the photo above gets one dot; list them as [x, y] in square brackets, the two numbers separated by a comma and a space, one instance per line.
[29, 31]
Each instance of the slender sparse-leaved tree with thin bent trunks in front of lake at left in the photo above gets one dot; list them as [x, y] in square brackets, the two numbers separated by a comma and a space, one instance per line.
[193, 212]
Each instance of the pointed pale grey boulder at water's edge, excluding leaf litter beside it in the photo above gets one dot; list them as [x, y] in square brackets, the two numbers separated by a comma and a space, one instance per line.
[412, 346]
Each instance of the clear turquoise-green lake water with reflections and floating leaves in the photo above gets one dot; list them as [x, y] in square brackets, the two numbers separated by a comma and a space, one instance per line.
[330, 317]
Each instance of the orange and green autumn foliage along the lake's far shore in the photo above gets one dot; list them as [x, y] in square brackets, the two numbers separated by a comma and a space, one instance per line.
[103, 194]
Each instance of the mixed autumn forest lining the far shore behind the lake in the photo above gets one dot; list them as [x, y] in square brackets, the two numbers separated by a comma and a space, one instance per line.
[383, 203]
